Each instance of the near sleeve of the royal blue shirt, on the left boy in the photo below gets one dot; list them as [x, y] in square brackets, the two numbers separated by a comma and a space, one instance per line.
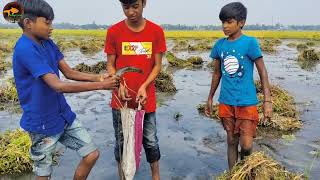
[34, 63]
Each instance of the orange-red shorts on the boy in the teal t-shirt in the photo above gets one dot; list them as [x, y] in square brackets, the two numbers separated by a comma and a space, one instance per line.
[239, 120]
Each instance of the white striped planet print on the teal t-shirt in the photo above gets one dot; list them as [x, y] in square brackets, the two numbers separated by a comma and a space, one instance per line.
[231, 64]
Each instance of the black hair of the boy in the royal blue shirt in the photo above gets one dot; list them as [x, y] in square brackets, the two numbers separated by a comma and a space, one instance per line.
[35, 8]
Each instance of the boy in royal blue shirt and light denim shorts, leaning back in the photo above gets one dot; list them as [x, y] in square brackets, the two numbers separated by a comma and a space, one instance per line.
[46, 115]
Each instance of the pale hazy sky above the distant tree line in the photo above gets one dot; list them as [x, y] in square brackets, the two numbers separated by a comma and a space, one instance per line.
[188, 12]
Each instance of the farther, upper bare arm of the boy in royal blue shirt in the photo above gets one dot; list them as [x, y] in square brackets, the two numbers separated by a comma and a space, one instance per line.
[69, 73]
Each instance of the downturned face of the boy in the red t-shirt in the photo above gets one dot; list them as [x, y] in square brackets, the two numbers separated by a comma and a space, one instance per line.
[134, 11]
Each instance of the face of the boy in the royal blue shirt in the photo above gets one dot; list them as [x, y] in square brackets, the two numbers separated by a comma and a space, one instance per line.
[41, 28]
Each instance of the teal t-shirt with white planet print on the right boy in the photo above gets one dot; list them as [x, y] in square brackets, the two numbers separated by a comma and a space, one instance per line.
[237, 62]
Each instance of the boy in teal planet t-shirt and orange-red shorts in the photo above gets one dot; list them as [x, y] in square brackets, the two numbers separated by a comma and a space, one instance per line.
[234, 60]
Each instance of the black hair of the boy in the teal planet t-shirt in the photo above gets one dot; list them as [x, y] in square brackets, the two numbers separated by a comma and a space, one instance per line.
[234, 10]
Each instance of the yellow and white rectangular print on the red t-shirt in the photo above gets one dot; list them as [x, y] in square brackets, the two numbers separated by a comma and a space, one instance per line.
[137, 48]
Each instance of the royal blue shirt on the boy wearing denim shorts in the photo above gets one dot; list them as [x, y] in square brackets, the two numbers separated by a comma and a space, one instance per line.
[45, 111]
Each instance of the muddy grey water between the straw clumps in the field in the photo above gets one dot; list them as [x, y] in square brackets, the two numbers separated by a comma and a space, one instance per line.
[194, 147]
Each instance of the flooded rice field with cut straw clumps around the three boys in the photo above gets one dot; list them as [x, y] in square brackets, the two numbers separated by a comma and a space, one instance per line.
[193, 146]
